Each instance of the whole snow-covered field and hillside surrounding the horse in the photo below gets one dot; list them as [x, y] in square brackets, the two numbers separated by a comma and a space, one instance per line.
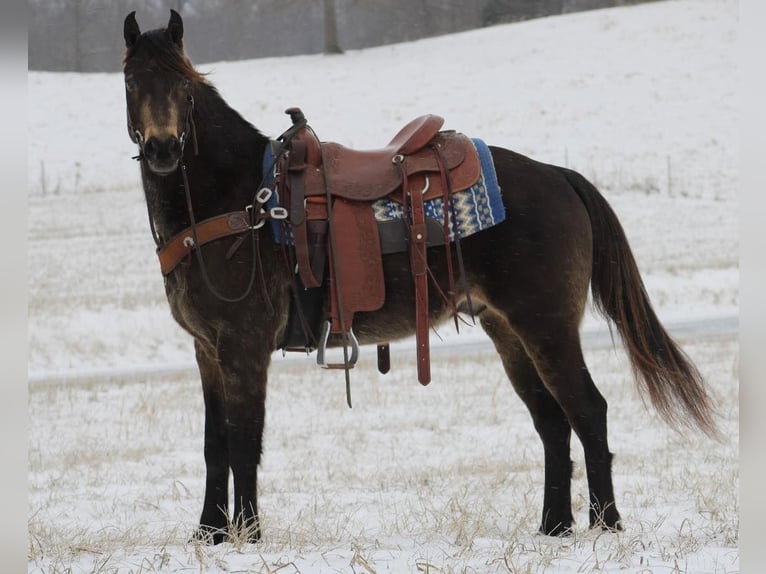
[447, 478]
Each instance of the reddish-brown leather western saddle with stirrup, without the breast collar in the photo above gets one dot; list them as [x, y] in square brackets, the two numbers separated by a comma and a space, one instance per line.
[329, 191]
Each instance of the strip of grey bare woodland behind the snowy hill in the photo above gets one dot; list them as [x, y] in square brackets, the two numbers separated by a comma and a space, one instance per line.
[86, 35]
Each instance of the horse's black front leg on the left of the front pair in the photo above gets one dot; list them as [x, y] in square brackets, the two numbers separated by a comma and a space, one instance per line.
[213, 522]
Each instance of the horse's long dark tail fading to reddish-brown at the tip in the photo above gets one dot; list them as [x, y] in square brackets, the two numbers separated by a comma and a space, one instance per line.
[662, 370]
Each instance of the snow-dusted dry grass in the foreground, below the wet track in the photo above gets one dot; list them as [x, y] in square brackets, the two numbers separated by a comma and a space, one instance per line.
[446, 478]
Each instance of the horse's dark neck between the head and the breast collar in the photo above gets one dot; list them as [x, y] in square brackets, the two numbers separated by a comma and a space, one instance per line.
[223, 176]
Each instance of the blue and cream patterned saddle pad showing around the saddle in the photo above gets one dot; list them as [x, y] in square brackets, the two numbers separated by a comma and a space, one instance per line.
[472, 210]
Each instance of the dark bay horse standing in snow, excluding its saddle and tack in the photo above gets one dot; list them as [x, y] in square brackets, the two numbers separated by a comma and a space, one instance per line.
[527, 278]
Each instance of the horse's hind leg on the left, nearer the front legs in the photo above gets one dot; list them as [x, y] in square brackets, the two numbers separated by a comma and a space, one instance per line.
[549, 420]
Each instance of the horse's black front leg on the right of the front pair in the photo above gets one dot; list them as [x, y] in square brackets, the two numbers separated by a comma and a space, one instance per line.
[244, 368]
